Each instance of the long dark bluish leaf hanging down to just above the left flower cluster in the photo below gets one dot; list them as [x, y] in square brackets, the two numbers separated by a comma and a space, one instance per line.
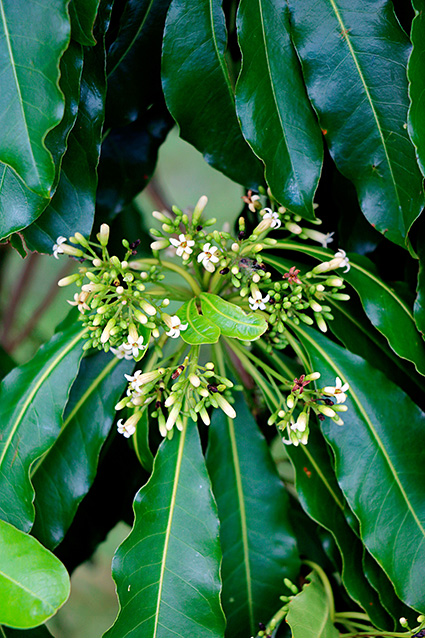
[72, 207]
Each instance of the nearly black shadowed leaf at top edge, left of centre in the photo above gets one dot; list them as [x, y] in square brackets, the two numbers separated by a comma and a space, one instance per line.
[132, 86]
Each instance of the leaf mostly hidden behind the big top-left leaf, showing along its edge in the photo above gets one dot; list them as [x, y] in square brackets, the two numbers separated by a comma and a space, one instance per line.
[19, 206]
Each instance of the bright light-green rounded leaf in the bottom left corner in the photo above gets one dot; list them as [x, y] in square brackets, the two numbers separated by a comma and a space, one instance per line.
[33, 582]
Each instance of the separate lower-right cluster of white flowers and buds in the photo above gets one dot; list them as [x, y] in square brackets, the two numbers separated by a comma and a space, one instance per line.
[293, 418]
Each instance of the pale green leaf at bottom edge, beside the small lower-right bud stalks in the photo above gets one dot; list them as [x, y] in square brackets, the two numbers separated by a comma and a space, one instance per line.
[309, 614]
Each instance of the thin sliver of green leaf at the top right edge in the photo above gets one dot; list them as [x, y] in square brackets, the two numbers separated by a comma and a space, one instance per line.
[416, 119]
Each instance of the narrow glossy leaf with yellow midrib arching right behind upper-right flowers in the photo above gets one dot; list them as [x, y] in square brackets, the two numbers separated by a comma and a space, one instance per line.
[388, 312]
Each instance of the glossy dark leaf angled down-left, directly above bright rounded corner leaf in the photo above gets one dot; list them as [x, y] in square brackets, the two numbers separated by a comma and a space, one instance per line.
[87, 421]
